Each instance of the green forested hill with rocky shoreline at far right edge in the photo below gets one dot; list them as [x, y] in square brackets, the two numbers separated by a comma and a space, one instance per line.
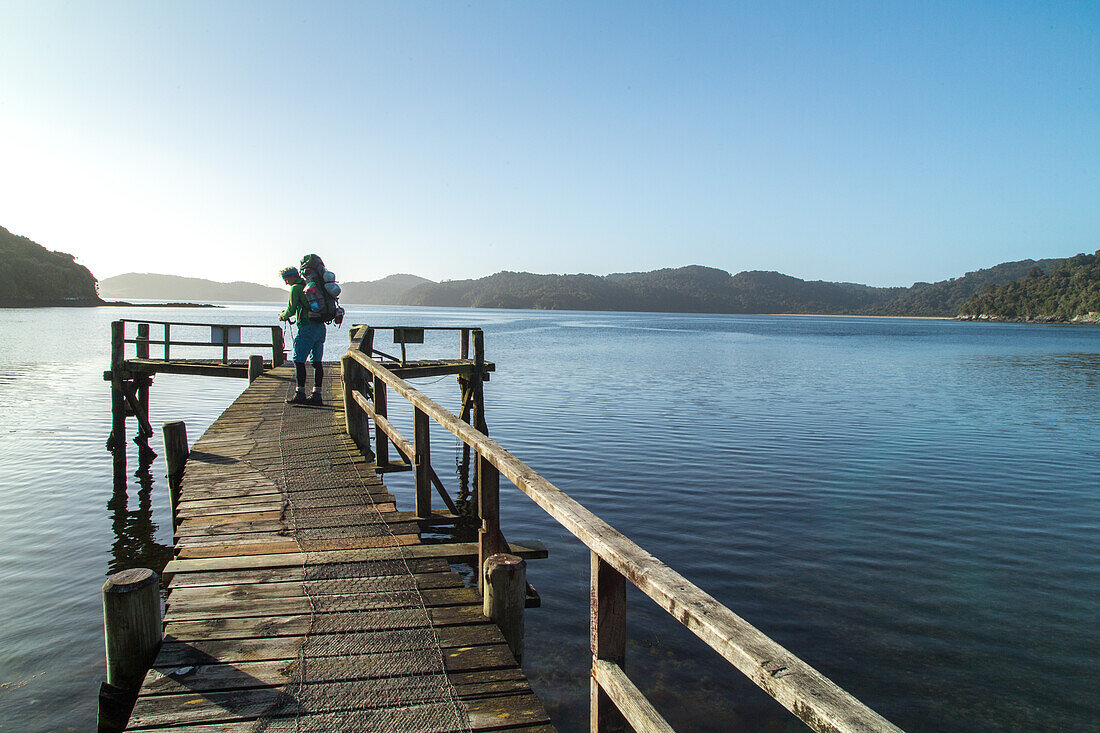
[1071, 292]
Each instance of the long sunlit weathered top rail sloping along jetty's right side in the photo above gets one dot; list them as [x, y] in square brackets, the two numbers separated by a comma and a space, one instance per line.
[800, 688]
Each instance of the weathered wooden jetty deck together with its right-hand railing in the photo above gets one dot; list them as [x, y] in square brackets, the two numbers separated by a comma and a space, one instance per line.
[277, 575]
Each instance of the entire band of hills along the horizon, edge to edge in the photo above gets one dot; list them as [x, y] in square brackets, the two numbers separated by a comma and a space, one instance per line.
[1029, 291]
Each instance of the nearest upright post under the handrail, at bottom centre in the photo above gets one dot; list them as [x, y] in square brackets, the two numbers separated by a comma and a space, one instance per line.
[608, 625]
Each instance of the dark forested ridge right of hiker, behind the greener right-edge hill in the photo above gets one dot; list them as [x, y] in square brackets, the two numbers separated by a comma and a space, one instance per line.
[708, 290]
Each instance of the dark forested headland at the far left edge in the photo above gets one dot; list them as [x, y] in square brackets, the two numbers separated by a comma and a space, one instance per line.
[32, 276]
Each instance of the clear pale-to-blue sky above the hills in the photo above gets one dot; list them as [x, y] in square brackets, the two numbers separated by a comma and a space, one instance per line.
[876, 143]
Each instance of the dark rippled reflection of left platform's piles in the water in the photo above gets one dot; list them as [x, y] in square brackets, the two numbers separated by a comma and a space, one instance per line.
[135, 544]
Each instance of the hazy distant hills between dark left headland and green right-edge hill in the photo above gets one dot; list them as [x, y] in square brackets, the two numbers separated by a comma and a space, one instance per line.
[681, 290]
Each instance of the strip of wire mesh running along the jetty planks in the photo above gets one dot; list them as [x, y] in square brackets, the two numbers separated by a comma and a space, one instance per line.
[371, 660]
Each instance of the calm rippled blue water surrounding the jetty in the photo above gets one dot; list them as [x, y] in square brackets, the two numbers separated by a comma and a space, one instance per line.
[911, 507]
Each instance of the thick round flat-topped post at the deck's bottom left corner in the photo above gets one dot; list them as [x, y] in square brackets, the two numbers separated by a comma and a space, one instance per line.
[131, 626]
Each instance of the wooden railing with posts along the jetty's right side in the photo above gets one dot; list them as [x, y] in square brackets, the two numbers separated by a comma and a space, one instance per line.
[615, 560]
